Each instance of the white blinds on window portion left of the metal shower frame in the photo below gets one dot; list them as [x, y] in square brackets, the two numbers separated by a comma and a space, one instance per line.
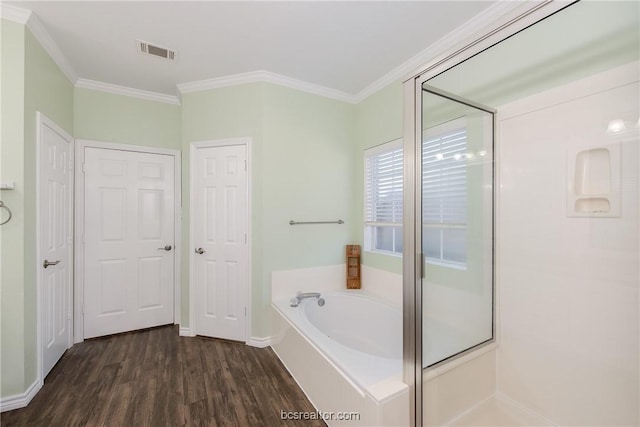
[383, 185]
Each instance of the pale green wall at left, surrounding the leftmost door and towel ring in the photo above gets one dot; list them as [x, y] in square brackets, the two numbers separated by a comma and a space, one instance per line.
[41, 86]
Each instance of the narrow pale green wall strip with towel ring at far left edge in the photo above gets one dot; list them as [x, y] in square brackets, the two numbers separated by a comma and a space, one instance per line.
[12, 234]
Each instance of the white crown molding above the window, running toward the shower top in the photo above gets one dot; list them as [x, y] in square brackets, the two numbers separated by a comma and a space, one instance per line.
[468, 30]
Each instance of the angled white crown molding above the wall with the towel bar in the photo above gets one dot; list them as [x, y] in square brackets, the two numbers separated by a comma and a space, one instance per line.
[266, 77]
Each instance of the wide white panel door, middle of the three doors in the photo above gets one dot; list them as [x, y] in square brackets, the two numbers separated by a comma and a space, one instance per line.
[129, 240]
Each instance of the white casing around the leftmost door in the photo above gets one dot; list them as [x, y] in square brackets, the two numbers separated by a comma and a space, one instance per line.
[43, 120]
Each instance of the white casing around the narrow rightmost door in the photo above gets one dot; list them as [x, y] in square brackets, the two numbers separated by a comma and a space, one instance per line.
[193, 146]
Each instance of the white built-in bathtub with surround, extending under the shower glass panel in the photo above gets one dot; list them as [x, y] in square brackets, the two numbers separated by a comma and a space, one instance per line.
[348, 357]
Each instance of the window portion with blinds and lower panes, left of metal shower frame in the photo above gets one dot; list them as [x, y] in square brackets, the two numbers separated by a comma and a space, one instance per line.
[383, 198]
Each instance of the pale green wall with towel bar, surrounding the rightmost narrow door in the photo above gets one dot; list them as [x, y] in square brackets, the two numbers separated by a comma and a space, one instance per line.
[302, 149]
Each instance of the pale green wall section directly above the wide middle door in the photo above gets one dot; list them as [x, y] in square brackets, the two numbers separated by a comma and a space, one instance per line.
[107, 117]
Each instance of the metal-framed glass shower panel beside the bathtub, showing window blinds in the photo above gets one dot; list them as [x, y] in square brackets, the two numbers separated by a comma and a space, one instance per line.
[457, 198]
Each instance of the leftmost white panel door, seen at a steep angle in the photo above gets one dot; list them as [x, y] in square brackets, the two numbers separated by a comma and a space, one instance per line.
[55, 241]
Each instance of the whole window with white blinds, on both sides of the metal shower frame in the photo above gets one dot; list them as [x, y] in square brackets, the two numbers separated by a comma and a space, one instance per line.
[444, 195]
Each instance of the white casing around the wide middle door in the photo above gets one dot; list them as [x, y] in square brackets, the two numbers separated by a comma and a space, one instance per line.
[79, 284]
